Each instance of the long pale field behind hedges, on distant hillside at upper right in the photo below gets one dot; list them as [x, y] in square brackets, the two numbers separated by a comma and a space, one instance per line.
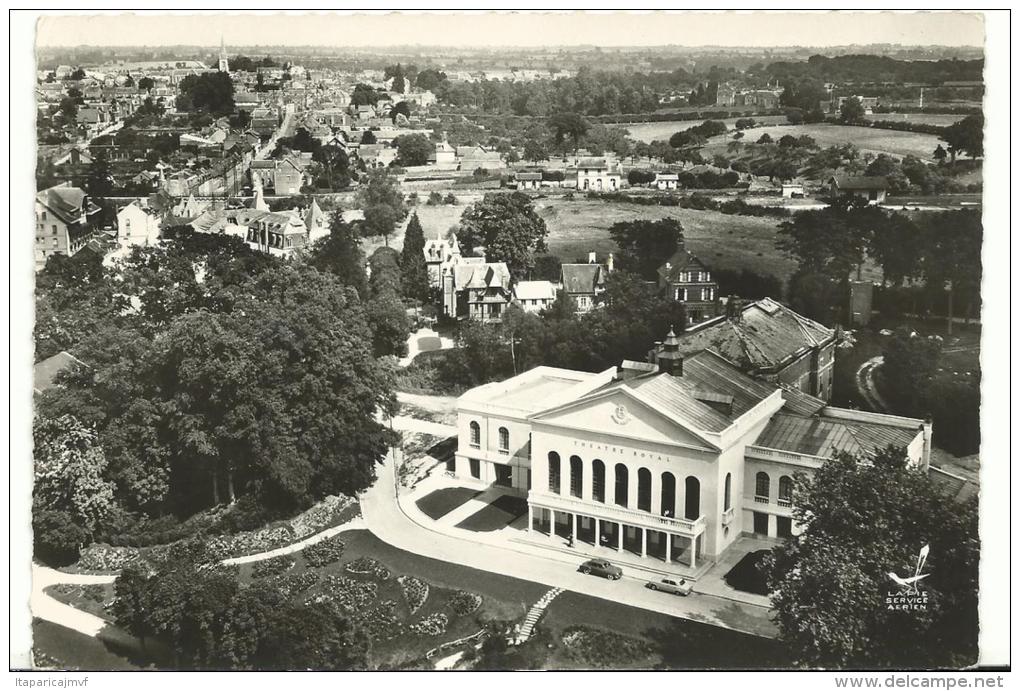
[869, 140]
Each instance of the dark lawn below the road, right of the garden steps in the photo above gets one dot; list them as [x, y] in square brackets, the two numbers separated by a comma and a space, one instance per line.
[667, 643]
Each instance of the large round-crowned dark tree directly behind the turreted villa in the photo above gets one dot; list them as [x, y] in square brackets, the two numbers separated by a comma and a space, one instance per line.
[509, 229]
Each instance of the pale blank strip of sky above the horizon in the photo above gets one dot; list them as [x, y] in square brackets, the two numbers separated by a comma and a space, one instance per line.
[521, 29]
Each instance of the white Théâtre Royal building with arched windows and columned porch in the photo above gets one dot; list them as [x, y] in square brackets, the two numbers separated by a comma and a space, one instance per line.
[670, 461]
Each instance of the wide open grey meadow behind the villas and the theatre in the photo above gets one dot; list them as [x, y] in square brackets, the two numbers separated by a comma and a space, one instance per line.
[735, 242]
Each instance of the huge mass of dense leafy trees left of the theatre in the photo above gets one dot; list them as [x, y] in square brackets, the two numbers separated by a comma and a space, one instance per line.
[213, 373]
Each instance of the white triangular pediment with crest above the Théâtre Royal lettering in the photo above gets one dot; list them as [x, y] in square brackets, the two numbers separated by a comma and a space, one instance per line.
[621, 414]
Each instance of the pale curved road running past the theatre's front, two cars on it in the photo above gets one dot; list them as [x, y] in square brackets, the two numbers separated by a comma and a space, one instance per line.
[387, 519]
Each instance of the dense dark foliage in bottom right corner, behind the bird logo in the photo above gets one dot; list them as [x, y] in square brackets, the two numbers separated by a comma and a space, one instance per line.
[841, 565]
